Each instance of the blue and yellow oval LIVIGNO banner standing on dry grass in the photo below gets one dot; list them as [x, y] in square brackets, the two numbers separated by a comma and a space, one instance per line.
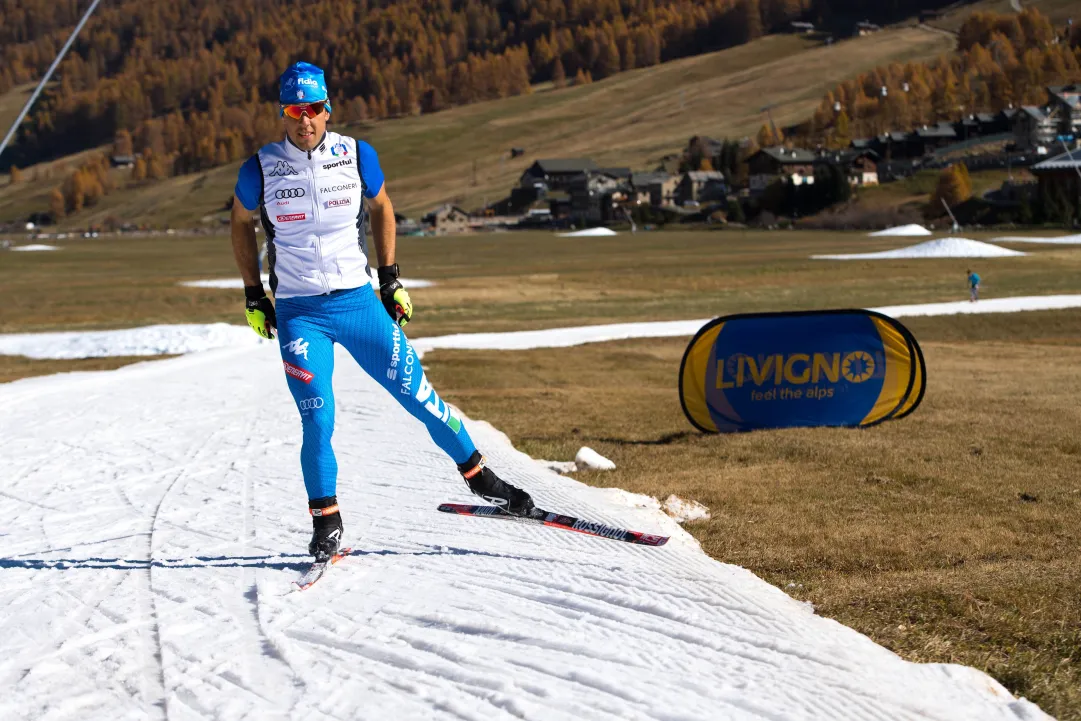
[824, 368]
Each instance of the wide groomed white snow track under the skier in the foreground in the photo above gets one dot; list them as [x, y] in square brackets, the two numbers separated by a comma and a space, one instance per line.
[150, 578]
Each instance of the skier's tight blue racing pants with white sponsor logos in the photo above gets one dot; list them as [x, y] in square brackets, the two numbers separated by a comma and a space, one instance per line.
[308, 330]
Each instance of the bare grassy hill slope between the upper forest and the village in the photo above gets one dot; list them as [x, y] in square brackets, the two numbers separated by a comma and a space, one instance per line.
[632, 119]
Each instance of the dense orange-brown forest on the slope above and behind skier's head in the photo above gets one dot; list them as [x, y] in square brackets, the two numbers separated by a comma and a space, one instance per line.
[184, 79]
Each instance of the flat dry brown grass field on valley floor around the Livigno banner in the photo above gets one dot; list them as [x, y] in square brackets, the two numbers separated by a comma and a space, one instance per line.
[949, 537]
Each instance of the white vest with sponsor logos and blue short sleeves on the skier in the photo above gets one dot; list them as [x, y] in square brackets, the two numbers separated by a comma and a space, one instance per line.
[313, 210]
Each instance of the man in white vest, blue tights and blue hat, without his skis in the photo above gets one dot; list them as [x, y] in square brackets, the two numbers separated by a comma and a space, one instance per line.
[312, 191]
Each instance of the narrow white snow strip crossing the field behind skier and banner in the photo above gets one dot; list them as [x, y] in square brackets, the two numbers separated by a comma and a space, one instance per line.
[178, 340]
